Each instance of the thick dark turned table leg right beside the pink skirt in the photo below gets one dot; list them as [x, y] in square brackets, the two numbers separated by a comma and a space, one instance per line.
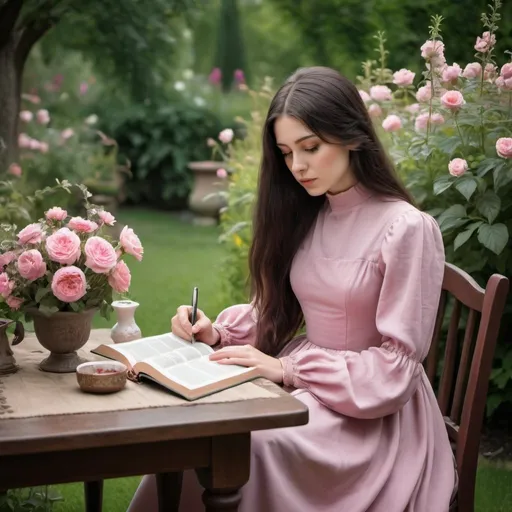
[228, 472]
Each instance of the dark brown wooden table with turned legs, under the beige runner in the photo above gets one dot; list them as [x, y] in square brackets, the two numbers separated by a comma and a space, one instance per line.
[214, 439]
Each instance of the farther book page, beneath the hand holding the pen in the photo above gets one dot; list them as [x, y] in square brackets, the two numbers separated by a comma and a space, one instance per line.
[163, 346]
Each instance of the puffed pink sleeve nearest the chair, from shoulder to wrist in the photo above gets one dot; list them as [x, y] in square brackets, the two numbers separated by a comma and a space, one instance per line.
[380, 380]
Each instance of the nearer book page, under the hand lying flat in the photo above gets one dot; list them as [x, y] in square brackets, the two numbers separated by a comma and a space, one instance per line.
[197, 373]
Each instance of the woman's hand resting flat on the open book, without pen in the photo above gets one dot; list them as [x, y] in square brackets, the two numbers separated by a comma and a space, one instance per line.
[246, 355]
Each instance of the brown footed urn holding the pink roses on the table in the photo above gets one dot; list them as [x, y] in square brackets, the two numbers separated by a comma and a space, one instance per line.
[62, 333]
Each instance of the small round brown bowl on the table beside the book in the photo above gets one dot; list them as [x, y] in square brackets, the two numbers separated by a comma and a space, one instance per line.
[101, 376]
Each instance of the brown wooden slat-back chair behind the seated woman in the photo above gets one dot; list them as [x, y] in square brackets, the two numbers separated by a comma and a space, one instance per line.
[466, 369]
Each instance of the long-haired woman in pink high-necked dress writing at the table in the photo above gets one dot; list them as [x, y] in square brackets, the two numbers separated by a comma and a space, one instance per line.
[339, 246]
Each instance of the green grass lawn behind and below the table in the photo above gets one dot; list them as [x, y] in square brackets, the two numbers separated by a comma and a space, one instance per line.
[177, 257]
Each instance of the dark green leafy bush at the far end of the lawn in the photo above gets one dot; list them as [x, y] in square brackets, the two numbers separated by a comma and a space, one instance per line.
[160, 140]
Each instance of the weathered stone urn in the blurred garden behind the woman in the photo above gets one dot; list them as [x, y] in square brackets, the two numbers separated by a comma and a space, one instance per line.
[203, 201]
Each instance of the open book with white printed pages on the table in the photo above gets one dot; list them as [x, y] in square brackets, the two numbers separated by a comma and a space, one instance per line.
[179, 365]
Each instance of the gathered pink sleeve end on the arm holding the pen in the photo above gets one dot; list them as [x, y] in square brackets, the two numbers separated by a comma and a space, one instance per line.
[236, 325]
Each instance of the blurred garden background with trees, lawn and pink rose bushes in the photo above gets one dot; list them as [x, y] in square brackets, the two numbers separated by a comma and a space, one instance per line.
[123, 97]
